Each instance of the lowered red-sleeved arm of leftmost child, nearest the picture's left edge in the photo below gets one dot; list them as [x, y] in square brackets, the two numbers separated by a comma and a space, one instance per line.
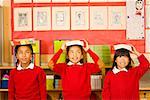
[11, 87]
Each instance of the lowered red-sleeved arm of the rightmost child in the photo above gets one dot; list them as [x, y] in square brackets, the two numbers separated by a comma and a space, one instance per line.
[106, 88]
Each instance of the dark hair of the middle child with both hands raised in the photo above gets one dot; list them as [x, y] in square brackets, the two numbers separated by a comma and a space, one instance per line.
[83, 60]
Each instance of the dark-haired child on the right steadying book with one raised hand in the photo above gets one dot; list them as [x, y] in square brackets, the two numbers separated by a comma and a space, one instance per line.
[122, 82]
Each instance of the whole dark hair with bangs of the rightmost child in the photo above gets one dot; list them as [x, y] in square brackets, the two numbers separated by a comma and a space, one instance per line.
[122, 52]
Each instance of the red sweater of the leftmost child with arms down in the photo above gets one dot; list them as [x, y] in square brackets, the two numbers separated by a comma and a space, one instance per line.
[28, 84]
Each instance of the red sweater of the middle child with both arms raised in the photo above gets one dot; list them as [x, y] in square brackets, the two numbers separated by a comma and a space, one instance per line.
[76, 78]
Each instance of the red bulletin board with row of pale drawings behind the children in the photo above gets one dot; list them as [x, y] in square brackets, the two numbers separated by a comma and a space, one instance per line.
[100, 22]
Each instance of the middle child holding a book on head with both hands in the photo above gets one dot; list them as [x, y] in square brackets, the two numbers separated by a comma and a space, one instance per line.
[75, 73]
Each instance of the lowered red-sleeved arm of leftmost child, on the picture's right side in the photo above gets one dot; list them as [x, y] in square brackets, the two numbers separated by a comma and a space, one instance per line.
[42, 84]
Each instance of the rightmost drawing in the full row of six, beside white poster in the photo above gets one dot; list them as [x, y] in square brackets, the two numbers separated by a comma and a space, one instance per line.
[117, 17]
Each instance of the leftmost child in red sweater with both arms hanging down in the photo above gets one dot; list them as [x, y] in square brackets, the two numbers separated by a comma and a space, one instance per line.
[27, 81]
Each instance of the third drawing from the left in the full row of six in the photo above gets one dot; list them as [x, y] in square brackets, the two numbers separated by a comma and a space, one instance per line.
[60, 18]
